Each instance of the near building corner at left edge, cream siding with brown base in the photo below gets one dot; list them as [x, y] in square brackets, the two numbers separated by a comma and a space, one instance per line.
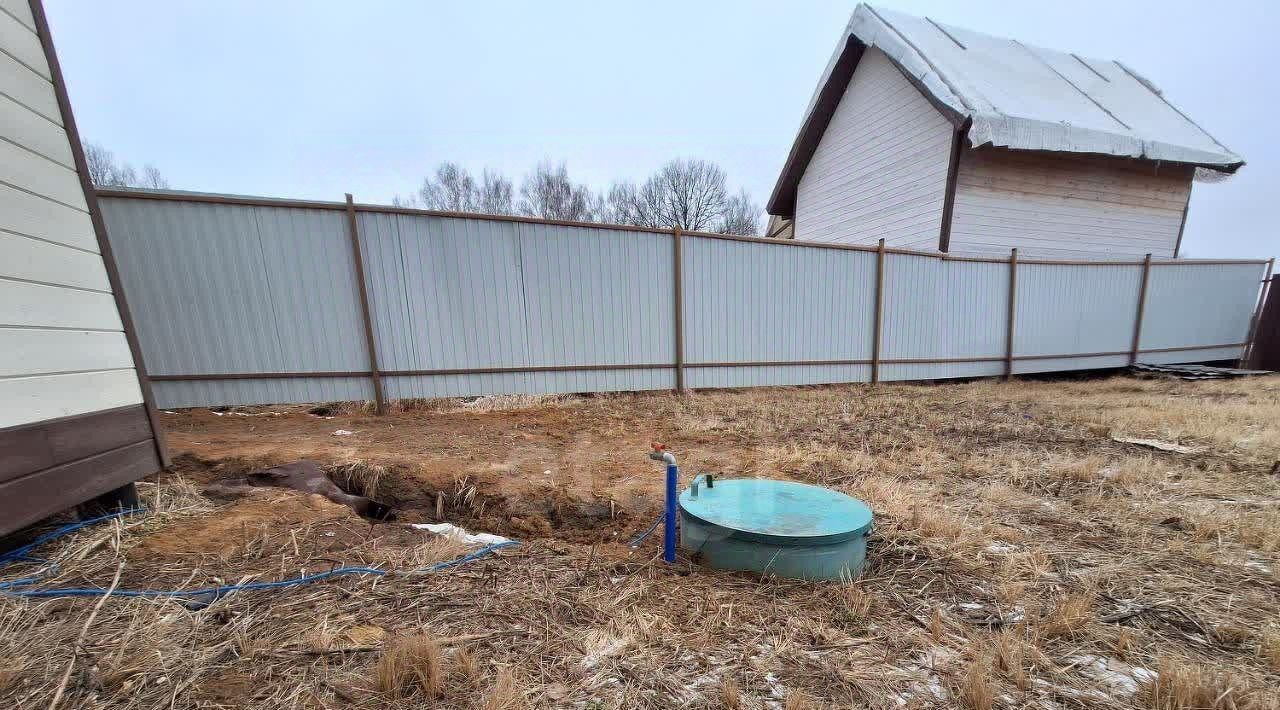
[76, 422]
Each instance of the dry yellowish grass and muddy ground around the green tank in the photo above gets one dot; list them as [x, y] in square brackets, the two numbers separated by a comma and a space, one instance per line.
[1022, 558]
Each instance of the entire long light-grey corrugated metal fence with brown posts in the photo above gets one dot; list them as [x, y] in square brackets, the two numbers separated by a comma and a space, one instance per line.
[243, 301]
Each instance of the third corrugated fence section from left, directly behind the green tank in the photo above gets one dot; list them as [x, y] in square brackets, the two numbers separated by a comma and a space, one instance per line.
[752, 303]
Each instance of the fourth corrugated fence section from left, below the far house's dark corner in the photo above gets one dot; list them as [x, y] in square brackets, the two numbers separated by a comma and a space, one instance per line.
[939, 310]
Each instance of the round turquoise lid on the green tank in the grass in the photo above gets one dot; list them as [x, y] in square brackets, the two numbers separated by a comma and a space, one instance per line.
[779, 512]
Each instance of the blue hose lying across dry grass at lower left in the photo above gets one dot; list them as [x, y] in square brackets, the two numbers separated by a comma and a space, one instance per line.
[19, 555]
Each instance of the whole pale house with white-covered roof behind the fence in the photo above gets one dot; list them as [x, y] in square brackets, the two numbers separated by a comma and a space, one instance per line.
[941, 139]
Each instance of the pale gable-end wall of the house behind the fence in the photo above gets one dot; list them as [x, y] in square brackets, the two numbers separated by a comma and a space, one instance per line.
[881, 168]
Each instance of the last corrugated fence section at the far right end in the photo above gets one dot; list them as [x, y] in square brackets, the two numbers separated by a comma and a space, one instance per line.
[1200, 305]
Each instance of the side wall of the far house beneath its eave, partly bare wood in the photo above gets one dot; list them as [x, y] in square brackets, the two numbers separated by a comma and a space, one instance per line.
[1067, 207]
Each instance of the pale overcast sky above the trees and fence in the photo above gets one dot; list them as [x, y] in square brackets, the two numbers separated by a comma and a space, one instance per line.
[309, 100]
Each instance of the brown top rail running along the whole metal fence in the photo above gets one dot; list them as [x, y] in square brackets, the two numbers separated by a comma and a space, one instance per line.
[254, 201]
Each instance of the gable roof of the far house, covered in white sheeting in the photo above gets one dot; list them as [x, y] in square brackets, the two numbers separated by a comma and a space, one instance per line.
[1007, 94]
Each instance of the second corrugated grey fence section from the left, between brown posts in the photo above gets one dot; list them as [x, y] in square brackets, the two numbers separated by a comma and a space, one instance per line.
[483, 294]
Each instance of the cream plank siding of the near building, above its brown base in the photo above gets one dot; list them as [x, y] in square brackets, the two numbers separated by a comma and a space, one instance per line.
[62, 345]
